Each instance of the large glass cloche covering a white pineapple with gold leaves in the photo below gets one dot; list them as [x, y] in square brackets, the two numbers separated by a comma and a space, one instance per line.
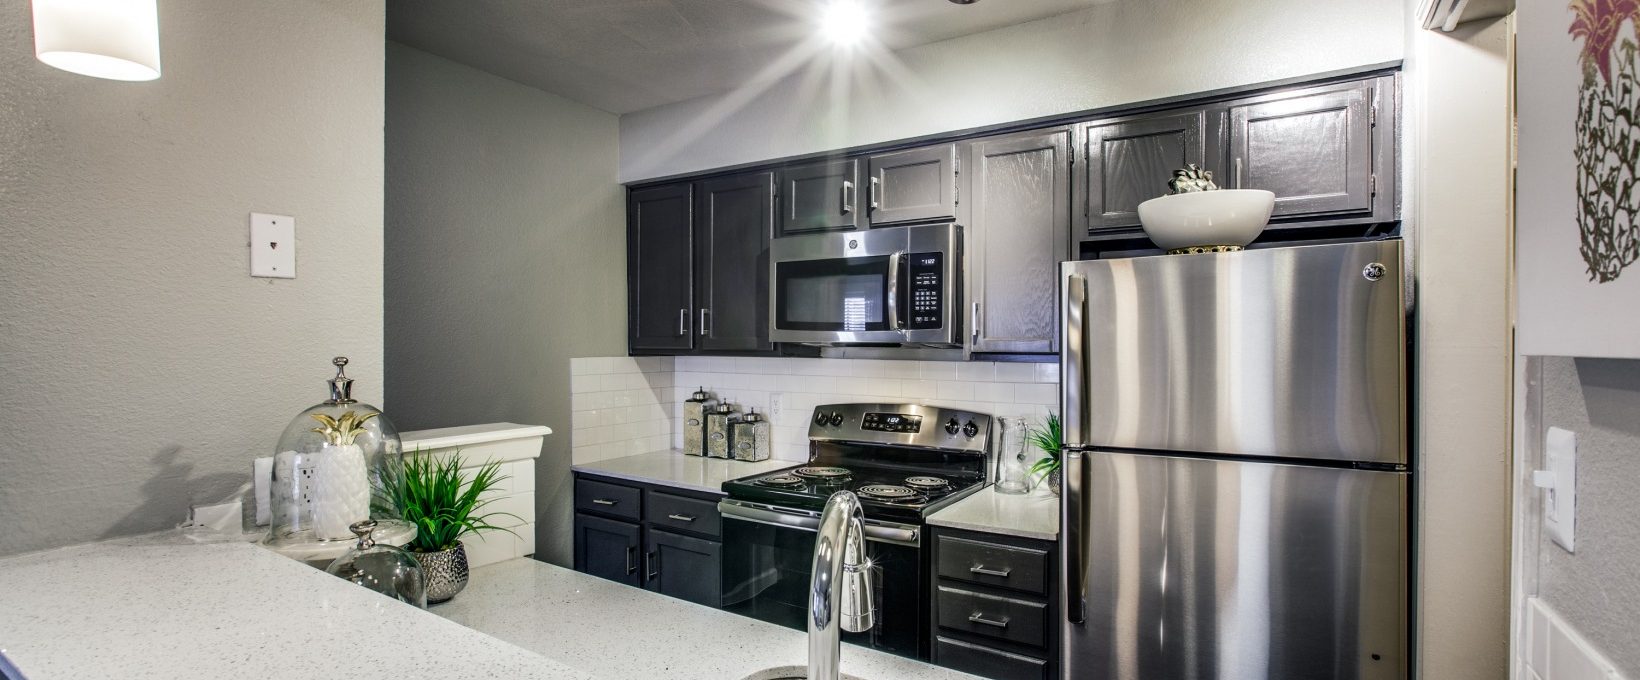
[326, 463]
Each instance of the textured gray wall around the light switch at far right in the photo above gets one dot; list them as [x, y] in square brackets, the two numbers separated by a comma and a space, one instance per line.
[1598, 589]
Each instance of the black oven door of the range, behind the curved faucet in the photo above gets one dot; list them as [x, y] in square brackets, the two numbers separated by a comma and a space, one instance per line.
[768, 558]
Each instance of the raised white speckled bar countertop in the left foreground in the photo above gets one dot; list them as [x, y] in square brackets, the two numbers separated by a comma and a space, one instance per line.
[148, 610]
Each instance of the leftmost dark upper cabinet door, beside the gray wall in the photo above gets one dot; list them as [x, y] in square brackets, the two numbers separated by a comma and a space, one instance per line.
[660, 268]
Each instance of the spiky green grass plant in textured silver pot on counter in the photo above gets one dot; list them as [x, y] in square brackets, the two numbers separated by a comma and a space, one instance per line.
[444, 505]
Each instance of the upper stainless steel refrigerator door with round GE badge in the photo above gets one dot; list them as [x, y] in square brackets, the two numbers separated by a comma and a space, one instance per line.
[1285, 353]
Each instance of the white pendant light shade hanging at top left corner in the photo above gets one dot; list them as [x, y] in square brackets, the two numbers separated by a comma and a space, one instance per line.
[116, 40]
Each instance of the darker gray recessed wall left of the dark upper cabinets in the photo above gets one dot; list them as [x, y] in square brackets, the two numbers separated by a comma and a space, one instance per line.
[506, 258]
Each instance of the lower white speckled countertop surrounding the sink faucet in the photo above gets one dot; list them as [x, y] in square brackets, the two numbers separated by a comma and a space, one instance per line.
[619, 632]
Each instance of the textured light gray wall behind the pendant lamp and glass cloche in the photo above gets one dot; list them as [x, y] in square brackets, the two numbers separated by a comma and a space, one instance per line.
[142, 368]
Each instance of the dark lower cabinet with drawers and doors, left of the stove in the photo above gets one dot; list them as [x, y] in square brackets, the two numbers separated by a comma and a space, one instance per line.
[649, 537]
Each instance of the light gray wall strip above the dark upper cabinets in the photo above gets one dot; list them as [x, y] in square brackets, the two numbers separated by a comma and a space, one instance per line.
[1103, 57]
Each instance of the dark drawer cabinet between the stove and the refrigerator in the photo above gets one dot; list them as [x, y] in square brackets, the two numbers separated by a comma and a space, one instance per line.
[996, 609]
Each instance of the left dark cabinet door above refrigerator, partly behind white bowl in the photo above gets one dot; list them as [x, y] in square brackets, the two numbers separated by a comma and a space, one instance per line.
[1132, 160]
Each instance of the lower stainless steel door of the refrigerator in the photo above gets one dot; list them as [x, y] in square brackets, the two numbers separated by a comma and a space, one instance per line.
[1187, 569]
